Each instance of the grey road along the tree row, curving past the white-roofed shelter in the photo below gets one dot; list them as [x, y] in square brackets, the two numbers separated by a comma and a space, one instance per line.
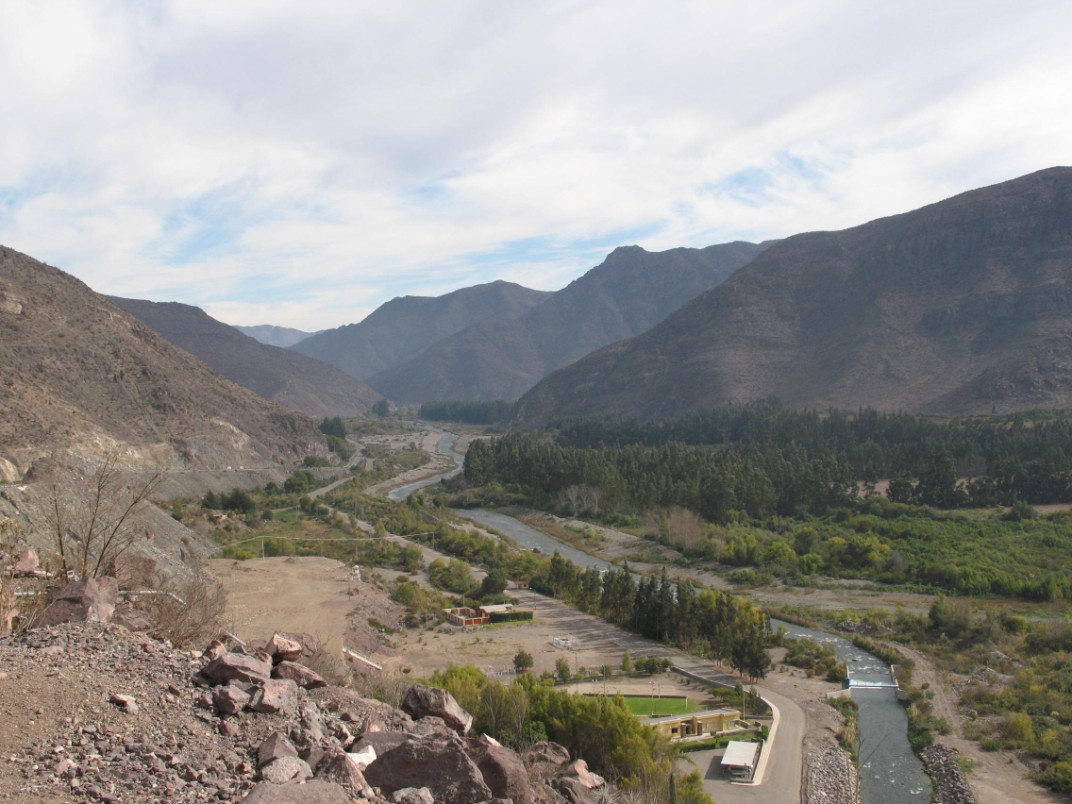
[782, 783]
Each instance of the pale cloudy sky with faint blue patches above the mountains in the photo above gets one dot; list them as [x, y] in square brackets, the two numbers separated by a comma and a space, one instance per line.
[302, 163]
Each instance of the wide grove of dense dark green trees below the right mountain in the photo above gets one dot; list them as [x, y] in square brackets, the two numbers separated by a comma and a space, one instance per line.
[764, 460]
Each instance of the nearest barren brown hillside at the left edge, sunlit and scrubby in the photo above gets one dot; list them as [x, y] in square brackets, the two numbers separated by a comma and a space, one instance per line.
[82, 378]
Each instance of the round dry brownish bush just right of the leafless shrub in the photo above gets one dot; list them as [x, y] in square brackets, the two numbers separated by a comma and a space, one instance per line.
[187, 613]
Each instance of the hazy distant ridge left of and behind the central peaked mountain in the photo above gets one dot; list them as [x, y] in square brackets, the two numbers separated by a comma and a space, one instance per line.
[406, 326]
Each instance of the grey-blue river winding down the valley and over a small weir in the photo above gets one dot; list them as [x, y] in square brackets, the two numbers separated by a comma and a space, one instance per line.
[890, 773]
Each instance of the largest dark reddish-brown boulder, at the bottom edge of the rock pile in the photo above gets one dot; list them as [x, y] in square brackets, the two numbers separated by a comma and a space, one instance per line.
[441, 766]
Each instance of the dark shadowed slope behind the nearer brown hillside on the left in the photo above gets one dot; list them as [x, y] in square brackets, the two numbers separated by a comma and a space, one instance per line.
[296, 381]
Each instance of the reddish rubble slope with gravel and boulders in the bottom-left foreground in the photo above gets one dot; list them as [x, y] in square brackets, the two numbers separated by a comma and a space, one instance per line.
[98, 713]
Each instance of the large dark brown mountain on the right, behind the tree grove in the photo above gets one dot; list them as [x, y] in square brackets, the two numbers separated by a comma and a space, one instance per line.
[962, 307]
